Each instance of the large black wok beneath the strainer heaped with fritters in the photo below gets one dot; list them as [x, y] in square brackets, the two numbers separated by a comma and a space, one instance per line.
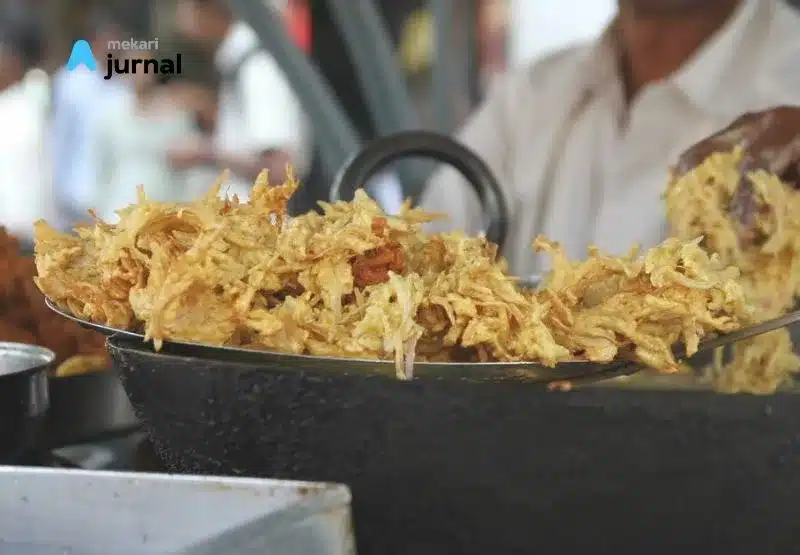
[461, 467]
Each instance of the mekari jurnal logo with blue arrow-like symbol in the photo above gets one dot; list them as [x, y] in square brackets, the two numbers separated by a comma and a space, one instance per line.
[124, 64]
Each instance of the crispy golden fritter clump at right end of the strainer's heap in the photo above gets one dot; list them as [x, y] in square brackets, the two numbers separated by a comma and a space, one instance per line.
[676, 292]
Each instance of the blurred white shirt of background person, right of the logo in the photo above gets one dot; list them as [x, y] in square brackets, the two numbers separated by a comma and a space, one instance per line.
[259, 111]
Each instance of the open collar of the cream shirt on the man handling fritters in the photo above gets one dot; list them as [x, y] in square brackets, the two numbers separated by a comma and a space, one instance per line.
[703, 77]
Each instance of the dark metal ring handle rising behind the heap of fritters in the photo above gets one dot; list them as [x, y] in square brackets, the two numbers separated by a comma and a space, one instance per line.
[384, 150]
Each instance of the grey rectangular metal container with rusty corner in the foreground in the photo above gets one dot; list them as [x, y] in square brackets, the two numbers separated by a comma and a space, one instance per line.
[47, 511]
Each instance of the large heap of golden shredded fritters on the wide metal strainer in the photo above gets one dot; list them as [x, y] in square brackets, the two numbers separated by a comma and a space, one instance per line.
[355, 282]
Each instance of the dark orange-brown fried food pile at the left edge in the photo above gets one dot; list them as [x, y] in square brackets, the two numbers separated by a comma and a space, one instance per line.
[24, 318]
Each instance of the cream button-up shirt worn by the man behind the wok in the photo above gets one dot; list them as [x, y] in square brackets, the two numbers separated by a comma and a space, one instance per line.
[603, 185]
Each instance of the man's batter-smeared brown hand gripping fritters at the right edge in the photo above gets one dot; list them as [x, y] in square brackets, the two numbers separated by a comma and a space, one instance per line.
[770, 140]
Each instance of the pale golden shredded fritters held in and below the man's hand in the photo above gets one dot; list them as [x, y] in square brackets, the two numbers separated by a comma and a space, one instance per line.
[697, 204]
